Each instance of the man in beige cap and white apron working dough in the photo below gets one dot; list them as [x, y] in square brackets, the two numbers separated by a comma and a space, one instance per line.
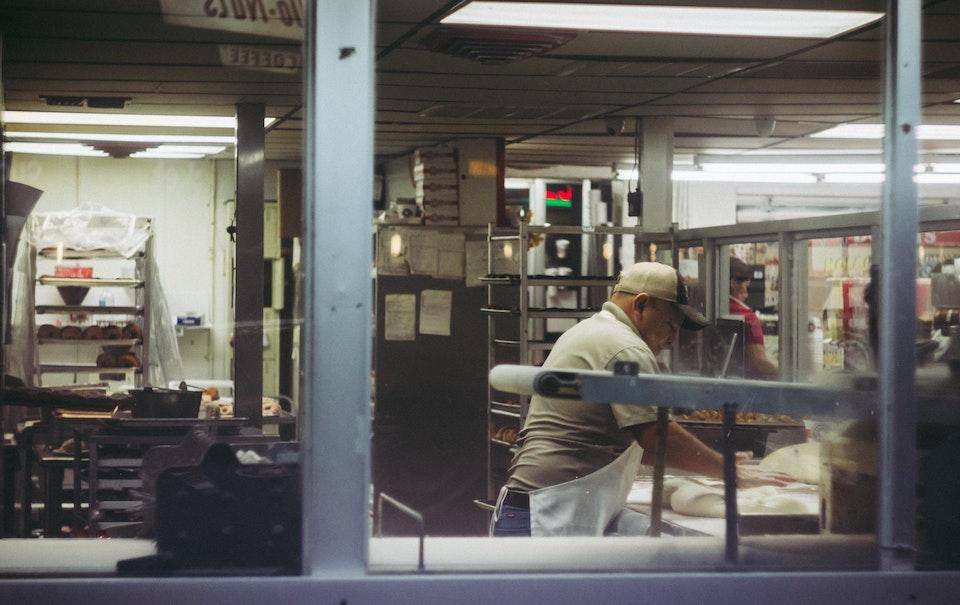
[576, 461]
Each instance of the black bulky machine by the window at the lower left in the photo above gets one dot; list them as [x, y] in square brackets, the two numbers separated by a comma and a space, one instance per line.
[224, 517]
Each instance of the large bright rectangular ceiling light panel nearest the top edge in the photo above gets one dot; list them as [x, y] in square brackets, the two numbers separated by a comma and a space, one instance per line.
[768, 23]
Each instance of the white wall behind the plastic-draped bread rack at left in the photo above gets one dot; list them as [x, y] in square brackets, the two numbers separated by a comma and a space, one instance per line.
[190, 202]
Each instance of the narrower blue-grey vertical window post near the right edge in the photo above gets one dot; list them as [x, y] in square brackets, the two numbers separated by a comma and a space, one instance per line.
[896, 531]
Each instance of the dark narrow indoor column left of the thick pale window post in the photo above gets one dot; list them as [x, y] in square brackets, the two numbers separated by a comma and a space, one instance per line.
[248, 307]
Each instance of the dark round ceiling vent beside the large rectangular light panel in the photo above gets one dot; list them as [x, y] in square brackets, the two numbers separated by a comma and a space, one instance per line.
[491, 45]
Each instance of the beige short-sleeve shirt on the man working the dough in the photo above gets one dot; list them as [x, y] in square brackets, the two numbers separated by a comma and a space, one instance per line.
[564, 439]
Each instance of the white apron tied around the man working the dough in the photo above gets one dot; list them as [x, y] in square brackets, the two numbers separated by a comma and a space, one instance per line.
[585, 506]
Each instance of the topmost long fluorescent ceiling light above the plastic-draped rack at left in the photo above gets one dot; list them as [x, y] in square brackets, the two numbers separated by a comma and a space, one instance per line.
[121, 119]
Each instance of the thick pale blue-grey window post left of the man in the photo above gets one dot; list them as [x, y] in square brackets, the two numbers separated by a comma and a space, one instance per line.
[338, 185]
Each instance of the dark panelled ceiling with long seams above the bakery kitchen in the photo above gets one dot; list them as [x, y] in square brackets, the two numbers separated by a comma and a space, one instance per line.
[549, 108]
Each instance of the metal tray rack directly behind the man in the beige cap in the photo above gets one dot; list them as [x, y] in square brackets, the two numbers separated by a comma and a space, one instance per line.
[533, 295]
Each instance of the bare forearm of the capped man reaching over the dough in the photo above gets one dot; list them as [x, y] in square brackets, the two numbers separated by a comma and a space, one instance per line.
[686, 452]
